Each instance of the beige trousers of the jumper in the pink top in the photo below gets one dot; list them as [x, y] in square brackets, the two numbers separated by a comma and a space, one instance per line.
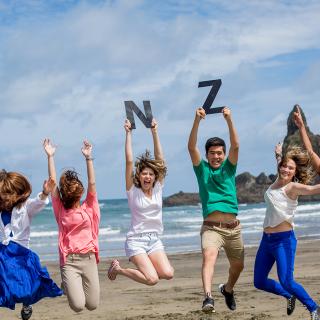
[80, 281]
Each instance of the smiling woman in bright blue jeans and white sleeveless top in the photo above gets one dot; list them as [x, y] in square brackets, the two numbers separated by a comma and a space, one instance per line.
[278, 244]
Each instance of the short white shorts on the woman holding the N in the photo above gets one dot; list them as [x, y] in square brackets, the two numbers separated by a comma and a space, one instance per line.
[147, 242]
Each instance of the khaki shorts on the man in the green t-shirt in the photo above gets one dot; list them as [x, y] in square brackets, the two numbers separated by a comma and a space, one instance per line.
[228, 239]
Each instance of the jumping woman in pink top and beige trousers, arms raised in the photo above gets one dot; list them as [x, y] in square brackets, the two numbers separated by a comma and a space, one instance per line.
[78, 232]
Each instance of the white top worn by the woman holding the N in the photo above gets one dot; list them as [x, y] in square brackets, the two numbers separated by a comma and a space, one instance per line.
[146, 213]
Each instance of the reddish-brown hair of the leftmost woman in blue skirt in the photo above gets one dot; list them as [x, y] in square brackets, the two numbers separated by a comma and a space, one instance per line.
[15, 189]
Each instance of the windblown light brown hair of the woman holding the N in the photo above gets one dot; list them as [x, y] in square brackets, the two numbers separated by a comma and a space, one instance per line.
[145, 161]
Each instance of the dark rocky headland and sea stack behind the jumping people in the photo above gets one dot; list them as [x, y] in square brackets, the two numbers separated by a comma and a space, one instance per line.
[250, 189]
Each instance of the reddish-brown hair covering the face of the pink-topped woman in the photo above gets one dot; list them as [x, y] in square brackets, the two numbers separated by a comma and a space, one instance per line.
[70, 188]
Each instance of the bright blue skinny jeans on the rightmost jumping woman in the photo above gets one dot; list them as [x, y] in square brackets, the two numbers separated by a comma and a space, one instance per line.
[279, 247]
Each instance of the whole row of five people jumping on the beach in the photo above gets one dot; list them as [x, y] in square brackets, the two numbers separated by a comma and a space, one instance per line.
[24, 280]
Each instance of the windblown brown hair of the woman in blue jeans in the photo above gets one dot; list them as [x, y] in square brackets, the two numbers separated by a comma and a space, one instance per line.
[304, 172]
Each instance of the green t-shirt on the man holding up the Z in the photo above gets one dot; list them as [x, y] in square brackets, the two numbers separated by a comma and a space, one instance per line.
[217, 187]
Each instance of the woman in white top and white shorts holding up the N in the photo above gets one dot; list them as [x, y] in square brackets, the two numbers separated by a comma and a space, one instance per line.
[144, 190]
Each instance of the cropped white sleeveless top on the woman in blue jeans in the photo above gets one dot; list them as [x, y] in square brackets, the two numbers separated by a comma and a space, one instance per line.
[280, 207]
